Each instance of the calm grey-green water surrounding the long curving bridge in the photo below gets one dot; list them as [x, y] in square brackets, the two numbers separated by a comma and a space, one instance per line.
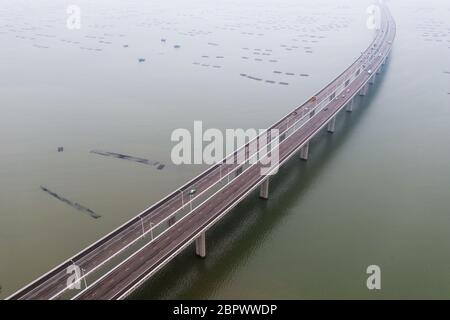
[376, 192]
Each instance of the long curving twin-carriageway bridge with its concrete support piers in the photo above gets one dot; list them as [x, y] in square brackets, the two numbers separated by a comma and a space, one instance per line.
[125, 258]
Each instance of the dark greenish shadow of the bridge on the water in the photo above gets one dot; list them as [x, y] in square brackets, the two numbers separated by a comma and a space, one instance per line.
[241, 232]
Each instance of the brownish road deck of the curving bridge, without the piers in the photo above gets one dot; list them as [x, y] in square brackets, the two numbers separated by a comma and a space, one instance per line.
[134, 270]
